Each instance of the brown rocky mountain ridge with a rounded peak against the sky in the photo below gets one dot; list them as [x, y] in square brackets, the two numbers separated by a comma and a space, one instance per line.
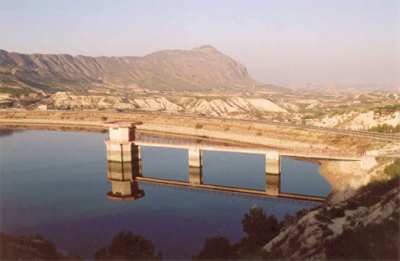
[202, 68]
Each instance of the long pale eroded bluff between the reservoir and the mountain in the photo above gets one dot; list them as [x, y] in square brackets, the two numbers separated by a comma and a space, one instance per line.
[219, 106]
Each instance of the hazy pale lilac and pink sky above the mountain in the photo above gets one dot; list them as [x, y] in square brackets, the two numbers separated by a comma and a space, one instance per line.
[280, 42]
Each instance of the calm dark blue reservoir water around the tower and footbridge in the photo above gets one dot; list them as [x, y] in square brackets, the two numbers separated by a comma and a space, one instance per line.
[54, 183]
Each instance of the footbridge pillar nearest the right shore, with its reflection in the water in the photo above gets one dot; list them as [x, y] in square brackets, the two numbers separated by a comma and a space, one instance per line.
[272, 173]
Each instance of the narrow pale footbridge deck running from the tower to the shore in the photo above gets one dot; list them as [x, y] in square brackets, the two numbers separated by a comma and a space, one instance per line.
[215, 146]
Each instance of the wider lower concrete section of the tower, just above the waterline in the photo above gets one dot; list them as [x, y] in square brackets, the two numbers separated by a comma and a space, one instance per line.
[122, 151]
